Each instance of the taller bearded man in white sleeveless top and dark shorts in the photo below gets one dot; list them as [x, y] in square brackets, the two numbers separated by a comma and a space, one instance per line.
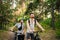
[30, 27]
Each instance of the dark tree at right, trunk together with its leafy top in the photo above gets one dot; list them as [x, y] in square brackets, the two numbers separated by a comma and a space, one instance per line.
[52, 5]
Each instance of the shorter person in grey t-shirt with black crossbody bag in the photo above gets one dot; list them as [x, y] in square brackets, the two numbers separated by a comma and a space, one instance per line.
[20, 31]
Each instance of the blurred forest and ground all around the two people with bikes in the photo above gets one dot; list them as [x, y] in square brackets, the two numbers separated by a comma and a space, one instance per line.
[47, 12]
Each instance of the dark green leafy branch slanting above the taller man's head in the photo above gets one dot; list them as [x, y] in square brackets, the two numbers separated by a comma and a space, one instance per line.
[32, 6]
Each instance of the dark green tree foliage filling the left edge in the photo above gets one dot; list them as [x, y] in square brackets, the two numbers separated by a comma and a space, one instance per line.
[5, 13]
